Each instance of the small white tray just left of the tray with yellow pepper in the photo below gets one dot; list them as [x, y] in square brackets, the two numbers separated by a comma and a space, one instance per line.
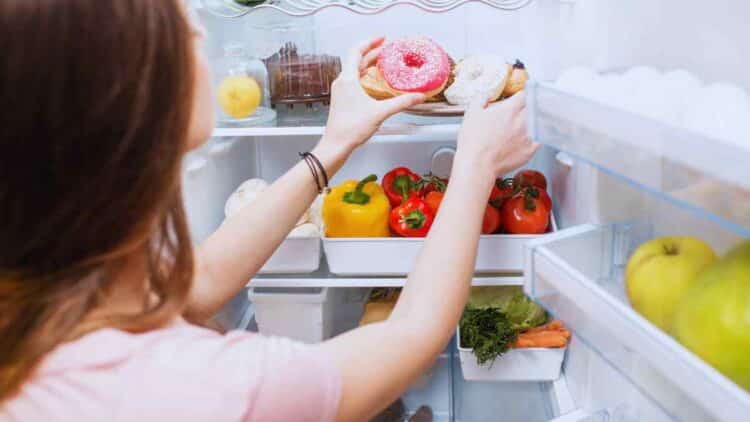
[296, 255]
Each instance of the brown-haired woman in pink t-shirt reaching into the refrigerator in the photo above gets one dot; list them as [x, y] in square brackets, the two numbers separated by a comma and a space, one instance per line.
[97, 275]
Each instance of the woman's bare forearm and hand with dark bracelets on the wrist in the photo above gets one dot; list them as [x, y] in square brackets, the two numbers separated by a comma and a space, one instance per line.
[238, 249]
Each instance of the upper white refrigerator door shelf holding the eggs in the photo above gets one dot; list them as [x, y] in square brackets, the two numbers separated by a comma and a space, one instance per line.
[698, 174]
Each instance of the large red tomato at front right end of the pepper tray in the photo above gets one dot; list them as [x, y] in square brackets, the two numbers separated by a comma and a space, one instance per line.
[524, 214]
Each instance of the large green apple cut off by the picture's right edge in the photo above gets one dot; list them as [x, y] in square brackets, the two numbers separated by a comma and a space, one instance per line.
[713, 319]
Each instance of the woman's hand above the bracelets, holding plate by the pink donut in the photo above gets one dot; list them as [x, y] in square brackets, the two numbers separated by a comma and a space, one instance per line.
[354, 115]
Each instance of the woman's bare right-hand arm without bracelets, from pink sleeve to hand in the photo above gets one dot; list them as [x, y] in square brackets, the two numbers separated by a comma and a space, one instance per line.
[378, 362]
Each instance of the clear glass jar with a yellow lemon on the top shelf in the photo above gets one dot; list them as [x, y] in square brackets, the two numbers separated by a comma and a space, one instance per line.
[242, 94]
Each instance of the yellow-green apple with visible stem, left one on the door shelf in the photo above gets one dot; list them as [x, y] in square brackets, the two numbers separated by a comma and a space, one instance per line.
[661, 271]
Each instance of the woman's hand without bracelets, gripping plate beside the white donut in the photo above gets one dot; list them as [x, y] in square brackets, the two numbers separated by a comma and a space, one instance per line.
[493, 139]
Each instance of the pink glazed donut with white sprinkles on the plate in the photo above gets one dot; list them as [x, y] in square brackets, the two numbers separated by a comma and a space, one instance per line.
[414, 65]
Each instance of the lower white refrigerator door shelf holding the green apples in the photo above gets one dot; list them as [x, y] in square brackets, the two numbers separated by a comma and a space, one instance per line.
[577, 274]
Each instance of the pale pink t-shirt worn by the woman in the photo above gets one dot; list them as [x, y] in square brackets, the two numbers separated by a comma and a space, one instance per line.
[182, 373]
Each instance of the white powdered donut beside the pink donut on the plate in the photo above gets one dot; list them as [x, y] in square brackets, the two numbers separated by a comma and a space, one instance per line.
[478, 76]
